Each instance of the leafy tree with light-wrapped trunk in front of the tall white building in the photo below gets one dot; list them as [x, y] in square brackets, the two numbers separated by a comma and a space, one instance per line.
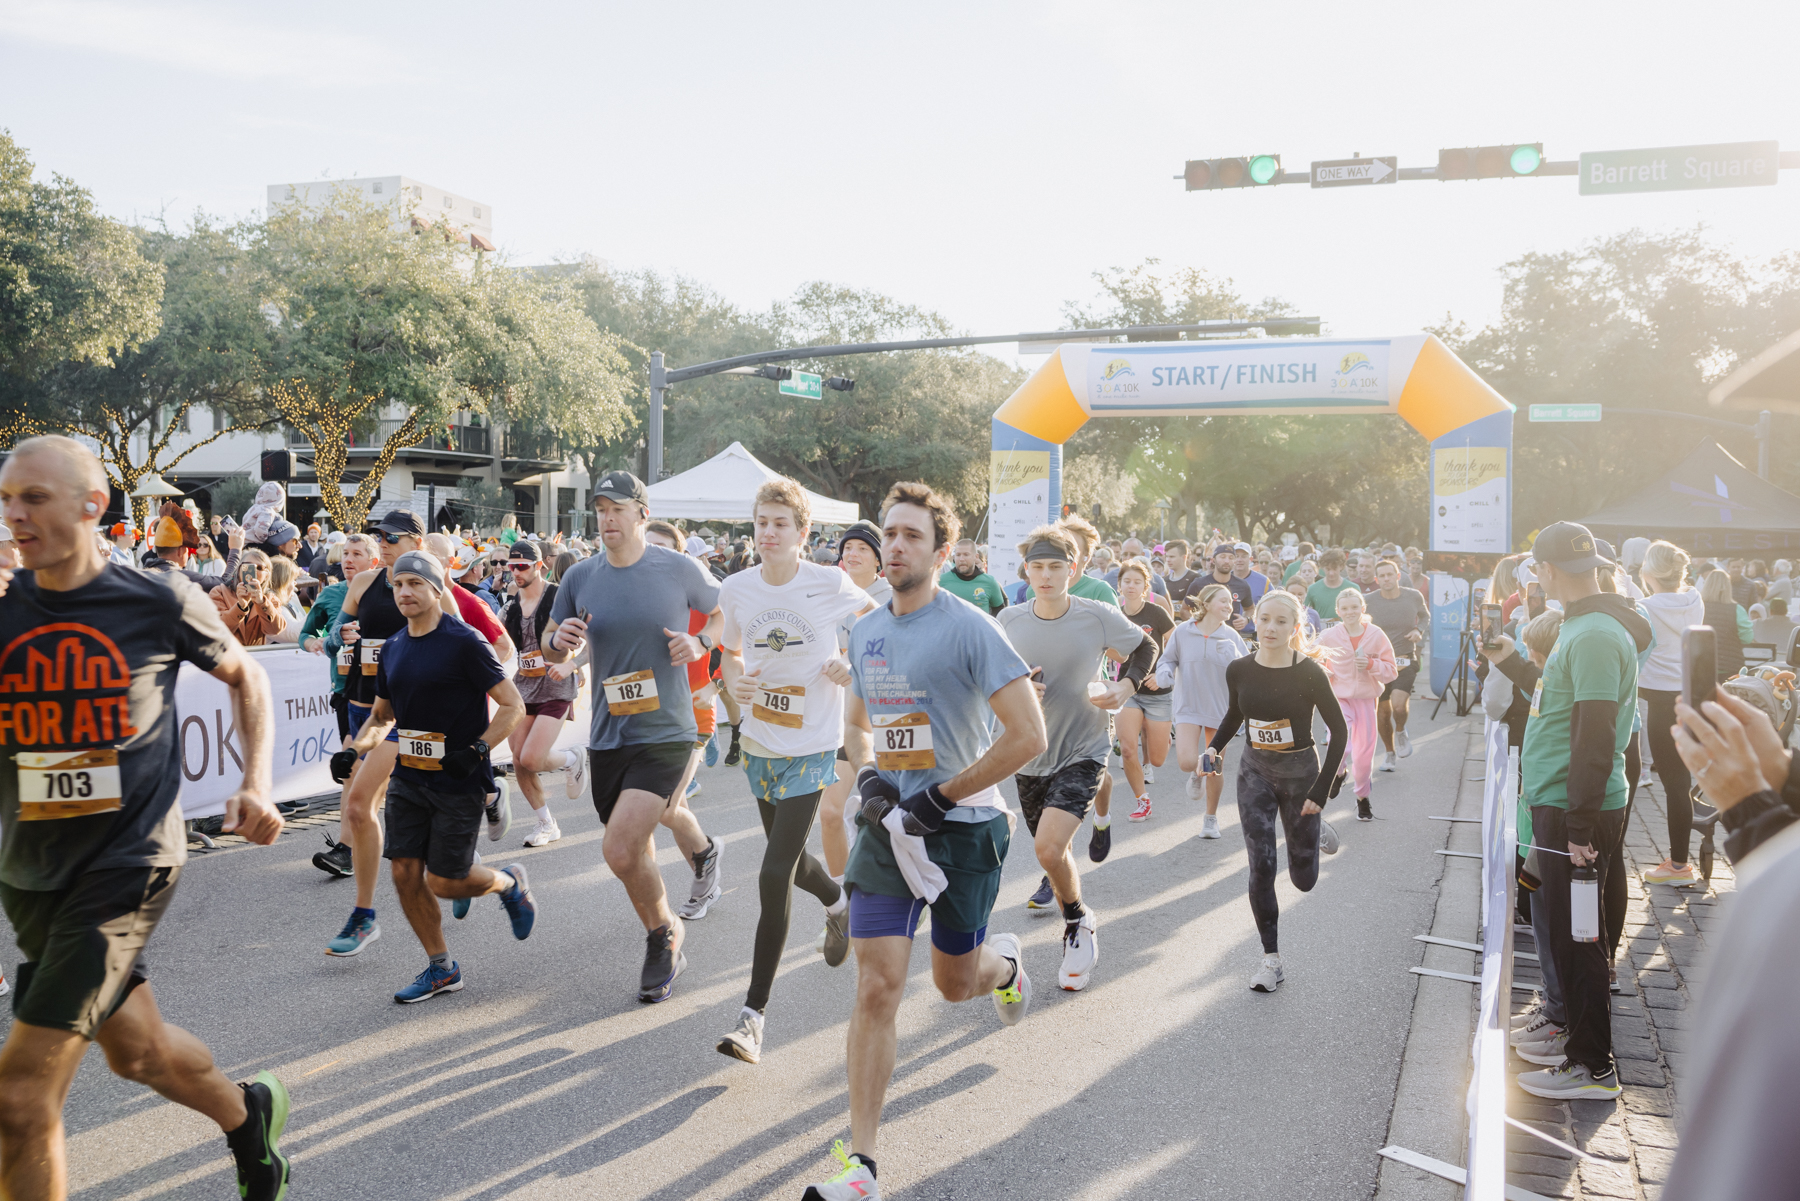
[386, 334]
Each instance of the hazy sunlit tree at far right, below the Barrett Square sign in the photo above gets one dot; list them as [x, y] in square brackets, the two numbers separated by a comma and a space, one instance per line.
[1646, 321]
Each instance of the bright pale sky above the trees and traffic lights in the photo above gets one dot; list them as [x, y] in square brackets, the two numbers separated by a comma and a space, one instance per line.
[975, 159]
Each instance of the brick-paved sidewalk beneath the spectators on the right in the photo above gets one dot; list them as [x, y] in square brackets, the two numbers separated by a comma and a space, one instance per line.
[1660, 959]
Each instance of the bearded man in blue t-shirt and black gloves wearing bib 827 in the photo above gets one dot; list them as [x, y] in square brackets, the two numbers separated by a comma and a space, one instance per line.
[926, 673]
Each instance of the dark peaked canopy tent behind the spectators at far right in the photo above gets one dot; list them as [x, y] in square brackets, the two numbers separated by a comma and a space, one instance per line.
[1711, 505]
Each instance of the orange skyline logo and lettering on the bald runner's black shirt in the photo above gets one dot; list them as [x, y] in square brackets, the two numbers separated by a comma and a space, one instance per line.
[66, 658]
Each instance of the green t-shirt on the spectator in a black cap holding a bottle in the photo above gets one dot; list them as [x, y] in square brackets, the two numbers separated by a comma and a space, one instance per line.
[1594, 660]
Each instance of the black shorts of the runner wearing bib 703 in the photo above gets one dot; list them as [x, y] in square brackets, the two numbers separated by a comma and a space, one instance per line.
[84, 944]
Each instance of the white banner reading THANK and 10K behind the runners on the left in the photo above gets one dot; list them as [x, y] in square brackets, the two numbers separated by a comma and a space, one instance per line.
[305, 732]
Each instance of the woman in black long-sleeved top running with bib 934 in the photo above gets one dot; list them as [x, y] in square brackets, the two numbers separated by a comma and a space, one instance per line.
[1275, 696]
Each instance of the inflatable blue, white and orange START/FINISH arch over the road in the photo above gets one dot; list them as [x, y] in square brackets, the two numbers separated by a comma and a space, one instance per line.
[1416, 377]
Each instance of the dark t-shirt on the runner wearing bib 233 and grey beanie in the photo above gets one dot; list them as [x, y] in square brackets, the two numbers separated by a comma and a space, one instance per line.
[438, 685]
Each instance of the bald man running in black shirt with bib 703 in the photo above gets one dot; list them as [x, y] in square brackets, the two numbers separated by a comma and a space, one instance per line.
[87, 878]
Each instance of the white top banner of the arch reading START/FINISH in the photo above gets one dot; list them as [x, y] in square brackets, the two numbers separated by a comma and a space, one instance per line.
[1266, 375]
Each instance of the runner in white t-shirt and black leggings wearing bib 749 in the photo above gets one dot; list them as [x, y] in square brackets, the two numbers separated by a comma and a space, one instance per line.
[780, 660]
